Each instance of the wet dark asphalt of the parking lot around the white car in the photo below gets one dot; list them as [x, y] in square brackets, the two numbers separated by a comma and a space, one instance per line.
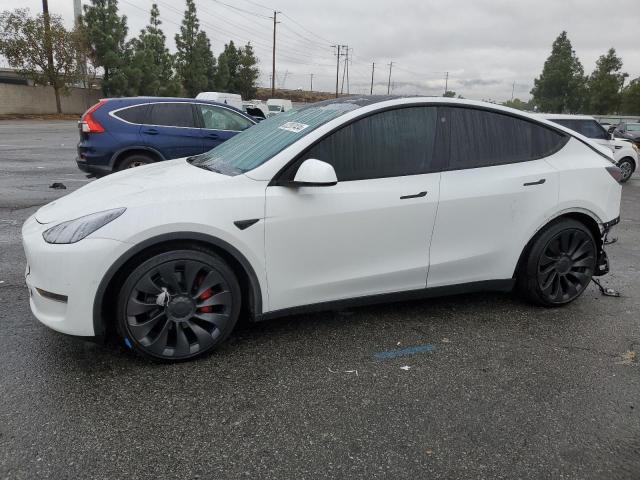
[491, 387]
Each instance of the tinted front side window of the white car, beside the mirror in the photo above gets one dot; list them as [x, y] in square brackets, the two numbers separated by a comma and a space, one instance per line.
[387, 144]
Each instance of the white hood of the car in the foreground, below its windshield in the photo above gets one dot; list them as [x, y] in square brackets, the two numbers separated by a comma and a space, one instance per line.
[141, 185]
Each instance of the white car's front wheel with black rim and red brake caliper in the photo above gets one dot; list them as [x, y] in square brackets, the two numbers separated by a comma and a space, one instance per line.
[178, 305]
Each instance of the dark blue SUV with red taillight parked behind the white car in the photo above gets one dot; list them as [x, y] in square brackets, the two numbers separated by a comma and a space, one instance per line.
[119, 133]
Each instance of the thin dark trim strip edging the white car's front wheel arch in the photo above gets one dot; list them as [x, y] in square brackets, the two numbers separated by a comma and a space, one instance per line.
[99, 325]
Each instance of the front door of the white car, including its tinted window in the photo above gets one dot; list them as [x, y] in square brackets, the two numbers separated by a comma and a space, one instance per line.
[368, 234]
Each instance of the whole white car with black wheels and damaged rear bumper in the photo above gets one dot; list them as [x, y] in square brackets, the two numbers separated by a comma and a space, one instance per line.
[340, 203]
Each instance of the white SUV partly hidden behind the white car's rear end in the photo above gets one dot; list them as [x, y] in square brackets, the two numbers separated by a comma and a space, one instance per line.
[625, 153]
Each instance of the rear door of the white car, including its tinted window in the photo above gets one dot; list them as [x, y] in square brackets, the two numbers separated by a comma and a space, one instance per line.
[498, 188]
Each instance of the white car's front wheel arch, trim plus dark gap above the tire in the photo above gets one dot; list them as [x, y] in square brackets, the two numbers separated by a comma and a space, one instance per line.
[103, 310]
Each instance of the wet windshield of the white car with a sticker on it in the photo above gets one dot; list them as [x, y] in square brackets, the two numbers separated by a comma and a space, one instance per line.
[256, 145]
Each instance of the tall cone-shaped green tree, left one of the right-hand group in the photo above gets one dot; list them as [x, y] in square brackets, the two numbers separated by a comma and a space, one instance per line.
[561, 85]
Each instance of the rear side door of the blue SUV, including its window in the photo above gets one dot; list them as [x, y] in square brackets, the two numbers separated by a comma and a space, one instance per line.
[172, 130]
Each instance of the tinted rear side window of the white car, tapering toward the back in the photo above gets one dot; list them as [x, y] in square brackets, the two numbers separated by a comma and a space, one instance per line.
[480, 138]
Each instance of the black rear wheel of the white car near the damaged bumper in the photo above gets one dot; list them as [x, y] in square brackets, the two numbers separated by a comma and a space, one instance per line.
[559, 264]
